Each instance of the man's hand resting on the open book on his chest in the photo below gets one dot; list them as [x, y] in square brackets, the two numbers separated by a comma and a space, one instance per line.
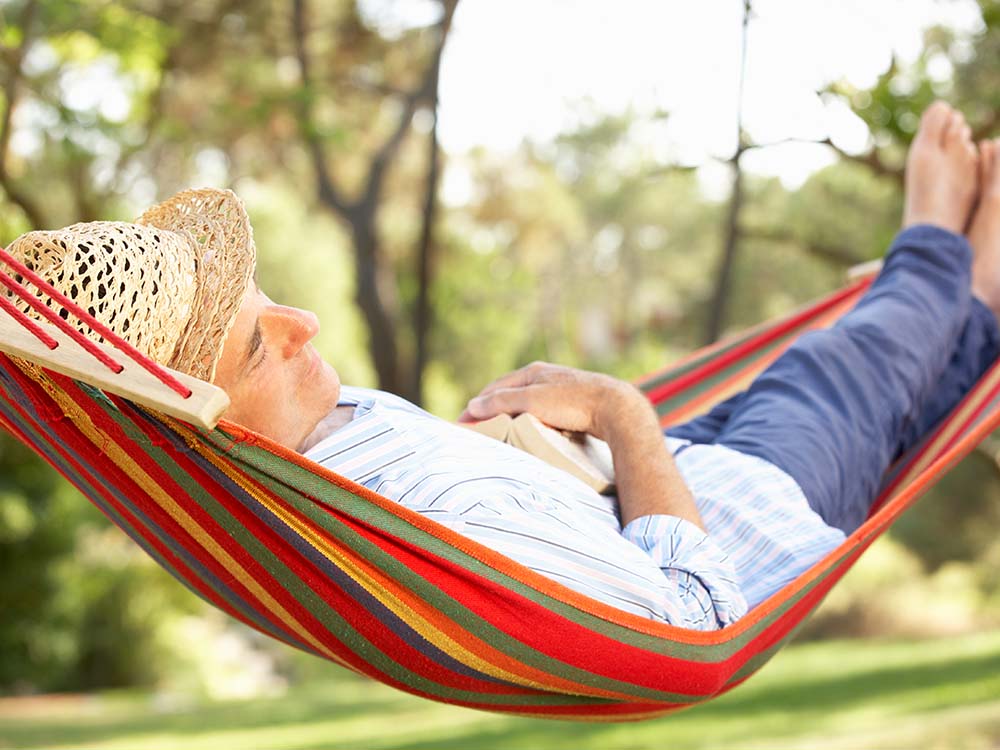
[562, 397]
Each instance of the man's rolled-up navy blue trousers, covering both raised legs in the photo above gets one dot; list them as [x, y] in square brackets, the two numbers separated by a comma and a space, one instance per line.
[841, 404]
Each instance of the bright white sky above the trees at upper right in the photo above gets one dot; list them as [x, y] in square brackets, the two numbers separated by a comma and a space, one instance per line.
[516, 69]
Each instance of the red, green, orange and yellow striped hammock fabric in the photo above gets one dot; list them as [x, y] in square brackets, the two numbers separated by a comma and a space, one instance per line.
[327, 566]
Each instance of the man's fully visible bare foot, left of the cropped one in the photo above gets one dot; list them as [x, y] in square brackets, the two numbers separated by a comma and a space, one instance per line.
[941, 168]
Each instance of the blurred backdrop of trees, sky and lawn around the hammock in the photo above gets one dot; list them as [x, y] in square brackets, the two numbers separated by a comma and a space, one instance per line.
[458, 188]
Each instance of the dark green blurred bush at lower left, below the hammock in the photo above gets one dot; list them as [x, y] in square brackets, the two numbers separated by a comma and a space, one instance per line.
[73, 588]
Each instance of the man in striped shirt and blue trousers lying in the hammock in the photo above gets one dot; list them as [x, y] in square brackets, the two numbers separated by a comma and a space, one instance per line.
[708, 522]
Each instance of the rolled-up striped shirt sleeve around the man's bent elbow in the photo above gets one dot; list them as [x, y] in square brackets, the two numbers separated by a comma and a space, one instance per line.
[701, 571]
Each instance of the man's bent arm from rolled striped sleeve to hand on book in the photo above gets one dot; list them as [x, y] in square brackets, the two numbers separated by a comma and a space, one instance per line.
[658, 512]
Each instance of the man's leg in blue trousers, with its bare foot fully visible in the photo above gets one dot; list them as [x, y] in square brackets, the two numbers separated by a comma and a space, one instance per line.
[834, 410]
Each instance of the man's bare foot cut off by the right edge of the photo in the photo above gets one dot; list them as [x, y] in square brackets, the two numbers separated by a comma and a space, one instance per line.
[984, 230]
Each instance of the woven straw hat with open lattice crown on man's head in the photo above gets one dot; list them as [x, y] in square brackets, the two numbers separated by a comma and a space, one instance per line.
[169, 284]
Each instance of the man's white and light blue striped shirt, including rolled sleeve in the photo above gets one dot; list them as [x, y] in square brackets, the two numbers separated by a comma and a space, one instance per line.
[761, 531]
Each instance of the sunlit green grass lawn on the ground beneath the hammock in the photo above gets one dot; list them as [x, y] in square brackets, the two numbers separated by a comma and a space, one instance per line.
[861, 694]
